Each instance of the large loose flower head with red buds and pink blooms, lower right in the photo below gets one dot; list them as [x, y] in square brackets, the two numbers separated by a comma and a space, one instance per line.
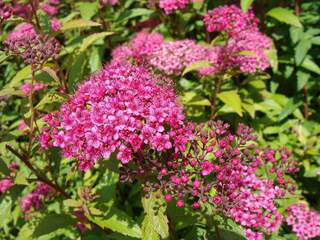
[220, 168]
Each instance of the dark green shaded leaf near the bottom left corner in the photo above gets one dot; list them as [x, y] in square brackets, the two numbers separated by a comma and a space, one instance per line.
[53, 222]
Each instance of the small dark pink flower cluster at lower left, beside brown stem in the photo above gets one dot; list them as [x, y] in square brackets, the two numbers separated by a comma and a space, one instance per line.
[34, 199]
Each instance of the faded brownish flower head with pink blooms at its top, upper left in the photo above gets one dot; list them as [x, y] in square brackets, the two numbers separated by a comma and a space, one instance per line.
[33, 48]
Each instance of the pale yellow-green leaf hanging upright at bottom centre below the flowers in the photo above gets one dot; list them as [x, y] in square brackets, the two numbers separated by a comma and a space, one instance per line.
[155, 209]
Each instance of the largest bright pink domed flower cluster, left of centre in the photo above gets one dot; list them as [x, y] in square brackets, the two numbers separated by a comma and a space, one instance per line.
[121, 109]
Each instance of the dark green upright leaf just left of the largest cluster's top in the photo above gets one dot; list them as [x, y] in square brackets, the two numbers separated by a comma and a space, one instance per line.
[77, 71]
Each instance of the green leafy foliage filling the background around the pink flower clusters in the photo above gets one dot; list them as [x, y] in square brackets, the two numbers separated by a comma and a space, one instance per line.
[282, 105]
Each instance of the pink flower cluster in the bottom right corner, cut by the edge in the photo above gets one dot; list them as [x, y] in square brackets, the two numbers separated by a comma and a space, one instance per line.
[305, 222]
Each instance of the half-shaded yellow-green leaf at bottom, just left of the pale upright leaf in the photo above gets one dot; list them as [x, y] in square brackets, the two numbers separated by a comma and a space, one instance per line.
[118, 221]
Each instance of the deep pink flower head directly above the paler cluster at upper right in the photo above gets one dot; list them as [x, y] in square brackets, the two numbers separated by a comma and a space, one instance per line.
[230, 19]
